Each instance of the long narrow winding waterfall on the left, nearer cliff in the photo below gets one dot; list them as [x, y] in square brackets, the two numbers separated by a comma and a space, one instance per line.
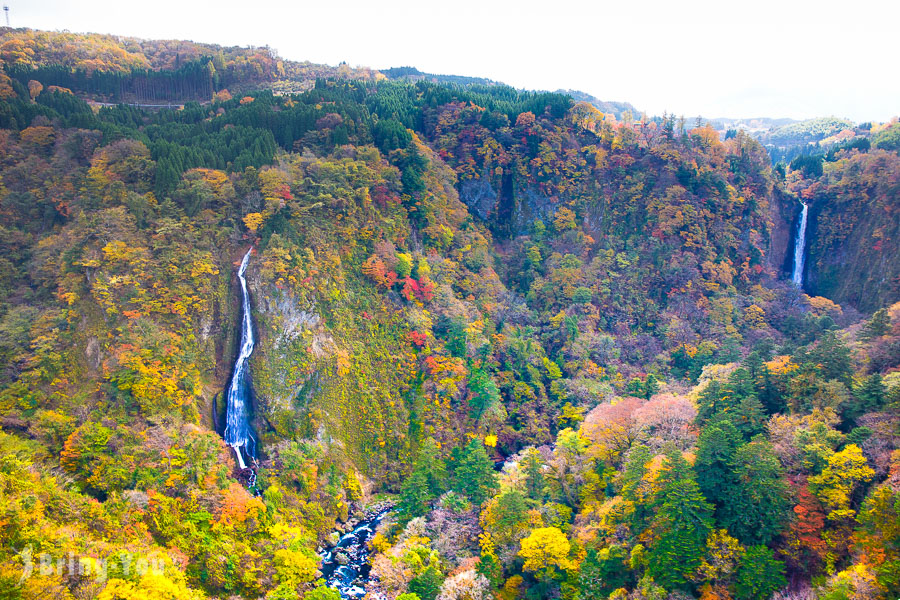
[237, 428]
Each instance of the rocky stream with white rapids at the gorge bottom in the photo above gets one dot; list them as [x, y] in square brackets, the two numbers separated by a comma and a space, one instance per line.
[346, 567]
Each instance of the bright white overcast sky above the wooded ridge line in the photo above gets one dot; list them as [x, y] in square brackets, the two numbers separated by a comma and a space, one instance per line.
[715, 58]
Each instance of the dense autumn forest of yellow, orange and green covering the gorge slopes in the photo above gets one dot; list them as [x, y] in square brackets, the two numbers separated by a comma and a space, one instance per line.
[562, 345]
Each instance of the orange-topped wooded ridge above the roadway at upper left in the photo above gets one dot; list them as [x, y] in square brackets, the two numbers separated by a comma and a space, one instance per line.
[115, 69]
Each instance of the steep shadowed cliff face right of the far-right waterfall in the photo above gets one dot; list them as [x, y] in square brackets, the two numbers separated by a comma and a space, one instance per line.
[854, 229]
